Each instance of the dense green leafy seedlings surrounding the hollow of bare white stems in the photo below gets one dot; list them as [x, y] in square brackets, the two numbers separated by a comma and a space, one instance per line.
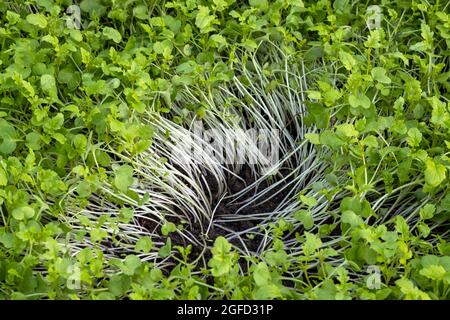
[71, 104]
